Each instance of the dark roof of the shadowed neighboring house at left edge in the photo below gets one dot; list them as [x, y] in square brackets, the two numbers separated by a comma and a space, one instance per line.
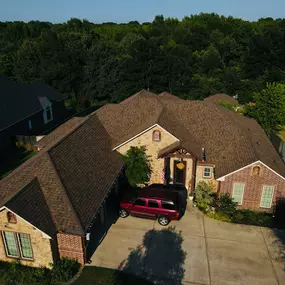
[19, 101]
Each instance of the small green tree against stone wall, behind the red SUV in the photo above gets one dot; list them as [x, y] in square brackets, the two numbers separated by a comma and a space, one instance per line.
[137, 165]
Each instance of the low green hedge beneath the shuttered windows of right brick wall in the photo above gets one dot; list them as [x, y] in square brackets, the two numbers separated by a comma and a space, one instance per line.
[254, 218]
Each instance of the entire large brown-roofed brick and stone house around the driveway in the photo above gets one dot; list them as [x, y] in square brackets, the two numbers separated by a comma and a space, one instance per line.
[51, 203]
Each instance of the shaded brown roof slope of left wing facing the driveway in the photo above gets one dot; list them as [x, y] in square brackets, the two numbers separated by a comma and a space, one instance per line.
[87, 168]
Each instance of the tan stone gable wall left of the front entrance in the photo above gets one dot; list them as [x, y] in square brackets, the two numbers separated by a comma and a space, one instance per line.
[152, 149]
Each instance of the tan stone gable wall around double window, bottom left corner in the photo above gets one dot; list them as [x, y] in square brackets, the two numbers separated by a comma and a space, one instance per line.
[41, 245]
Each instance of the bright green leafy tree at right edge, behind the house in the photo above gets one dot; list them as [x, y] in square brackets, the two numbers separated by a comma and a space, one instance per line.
[269, 107]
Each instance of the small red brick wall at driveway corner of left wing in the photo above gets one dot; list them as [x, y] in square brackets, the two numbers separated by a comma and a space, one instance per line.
[71, 246]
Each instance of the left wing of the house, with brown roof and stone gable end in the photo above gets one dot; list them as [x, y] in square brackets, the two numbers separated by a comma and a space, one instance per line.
[49, 204]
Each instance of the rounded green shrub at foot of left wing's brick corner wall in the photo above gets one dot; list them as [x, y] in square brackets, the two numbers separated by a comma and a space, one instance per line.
[64, 269]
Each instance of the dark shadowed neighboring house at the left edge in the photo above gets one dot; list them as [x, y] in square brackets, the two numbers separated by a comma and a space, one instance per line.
[27, 111]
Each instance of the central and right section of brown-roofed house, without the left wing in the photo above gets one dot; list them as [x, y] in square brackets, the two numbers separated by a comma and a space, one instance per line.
[192, 141]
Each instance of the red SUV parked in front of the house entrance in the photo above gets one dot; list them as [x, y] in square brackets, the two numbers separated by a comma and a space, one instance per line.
[164, 208]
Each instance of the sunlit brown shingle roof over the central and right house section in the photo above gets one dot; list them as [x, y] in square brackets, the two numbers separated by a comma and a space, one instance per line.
[231, 141]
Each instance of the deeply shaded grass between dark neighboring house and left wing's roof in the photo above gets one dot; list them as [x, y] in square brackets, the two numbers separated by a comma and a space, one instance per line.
[12, 160]
